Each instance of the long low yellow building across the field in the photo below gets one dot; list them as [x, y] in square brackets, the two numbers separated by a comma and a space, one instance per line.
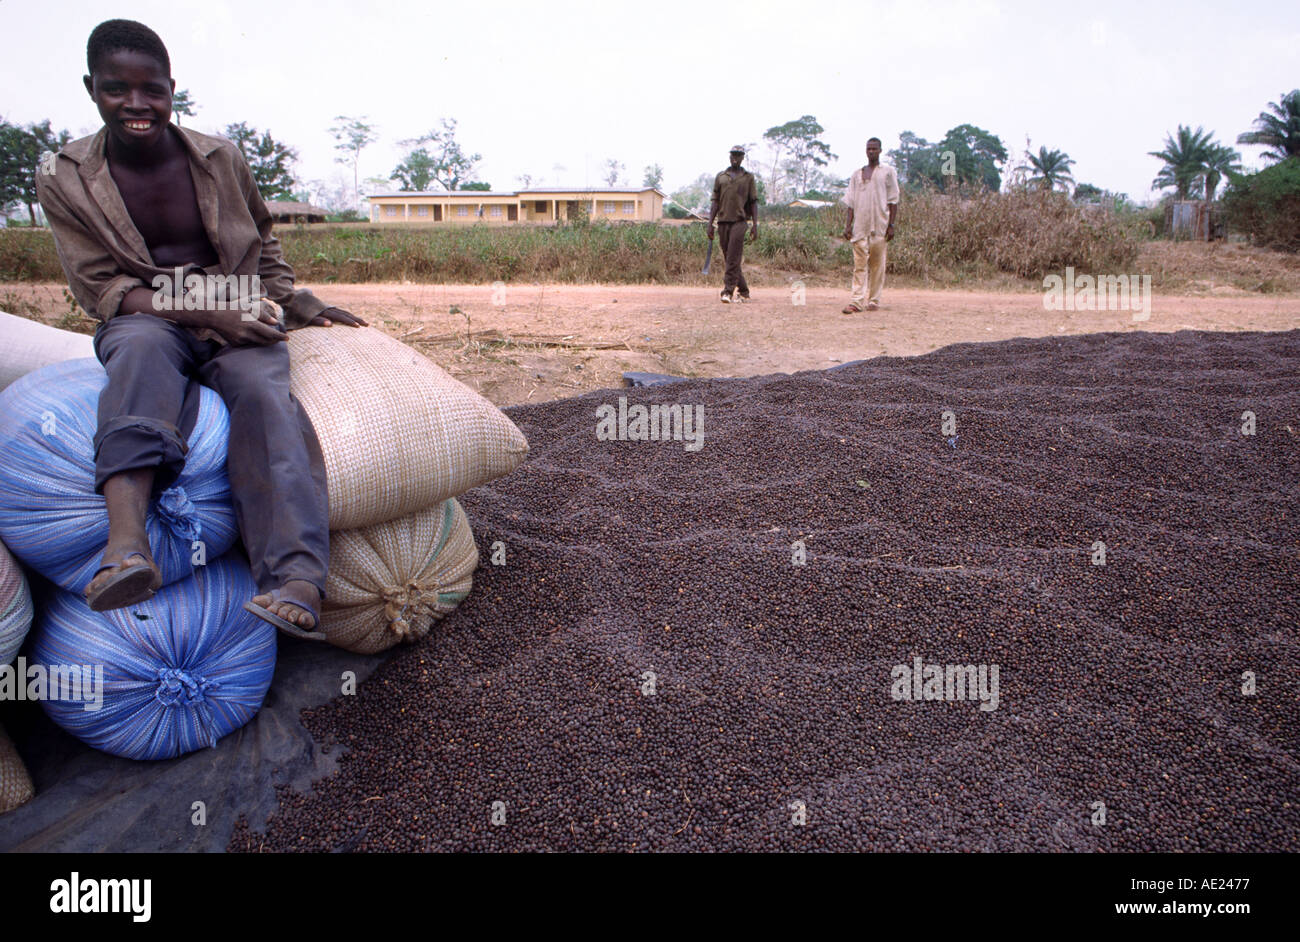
[554, 205]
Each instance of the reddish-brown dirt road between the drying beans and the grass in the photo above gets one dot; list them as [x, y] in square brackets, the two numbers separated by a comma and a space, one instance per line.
[541, 342]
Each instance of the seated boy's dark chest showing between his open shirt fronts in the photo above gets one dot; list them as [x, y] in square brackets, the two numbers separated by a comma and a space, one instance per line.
[164, 207]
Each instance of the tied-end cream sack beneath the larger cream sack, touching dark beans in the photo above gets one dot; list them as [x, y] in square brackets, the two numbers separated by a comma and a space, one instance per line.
[388, 583]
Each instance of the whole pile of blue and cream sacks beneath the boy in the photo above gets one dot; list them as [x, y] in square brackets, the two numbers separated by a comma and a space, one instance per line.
[401, 440]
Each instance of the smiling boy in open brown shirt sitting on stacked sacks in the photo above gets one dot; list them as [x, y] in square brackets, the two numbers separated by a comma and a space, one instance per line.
[133, 207]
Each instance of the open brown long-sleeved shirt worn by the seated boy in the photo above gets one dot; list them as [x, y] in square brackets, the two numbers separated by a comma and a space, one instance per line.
[105, 257]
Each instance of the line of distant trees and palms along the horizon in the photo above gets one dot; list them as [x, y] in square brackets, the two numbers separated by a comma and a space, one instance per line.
[791, 166]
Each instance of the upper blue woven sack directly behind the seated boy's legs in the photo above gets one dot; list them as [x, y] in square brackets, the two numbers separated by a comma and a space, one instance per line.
[51, 516]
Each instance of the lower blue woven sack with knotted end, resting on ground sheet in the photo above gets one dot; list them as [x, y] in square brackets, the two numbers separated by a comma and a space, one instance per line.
[179, 672]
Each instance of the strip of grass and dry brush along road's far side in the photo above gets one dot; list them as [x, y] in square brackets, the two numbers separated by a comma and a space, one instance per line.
[941, 238]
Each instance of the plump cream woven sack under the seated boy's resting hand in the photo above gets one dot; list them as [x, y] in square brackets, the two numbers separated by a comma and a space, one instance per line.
[398, 433]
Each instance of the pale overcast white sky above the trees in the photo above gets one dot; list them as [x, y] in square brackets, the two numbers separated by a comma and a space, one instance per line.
[540, 86]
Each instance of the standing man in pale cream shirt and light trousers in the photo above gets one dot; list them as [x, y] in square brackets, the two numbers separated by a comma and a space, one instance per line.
[873, 202]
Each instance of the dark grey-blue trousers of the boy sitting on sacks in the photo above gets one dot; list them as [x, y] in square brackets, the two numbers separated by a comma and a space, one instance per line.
[275, 465]
